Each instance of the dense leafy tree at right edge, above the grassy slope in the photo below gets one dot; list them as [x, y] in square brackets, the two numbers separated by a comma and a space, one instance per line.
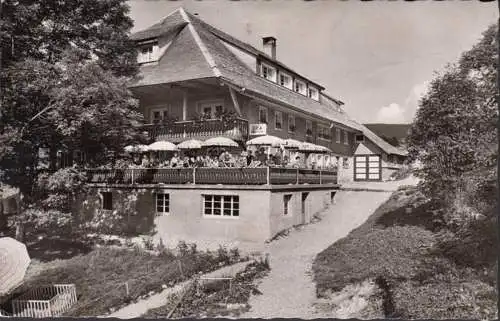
[454, 131]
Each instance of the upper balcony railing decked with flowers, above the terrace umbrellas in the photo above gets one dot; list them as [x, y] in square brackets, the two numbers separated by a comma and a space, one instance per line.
[235, 129]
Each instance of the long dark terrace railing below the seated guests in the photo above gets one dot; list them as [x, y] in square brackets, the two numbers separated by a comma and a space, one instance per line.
[206, 175]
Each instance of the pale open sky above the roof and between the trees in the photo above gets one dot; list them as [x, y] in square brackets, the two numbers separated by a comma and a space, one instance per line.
[377, 57]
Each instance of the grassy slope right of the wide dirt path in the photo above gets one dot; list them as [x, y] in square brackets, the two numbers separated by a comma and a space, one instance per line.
[400, 248]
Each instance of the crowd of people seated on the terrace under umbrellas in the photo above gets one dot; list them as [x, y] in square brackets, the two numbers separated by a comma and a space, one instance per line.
[222, 158]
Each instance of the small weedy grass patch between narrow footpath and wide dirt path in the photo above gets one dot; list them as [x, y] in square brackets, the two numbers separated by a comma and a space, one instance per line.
[217, 298]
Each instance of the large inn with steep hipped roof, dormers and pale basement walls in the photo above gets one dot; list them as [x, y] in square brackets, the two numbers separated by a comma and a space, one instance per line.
[191, 73]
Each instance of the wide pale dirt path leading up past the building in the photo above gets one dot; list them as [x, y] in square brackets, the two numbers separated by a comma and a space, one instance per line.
[289, 291]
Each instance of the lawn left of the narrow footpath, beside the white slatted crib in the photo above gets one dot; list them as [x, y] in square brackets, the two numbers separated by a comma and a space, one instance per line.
[100, 275]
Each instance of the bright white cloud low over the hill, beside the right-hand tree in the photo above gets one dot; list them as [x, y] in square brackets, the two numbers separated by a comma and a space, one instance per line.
[403, 113]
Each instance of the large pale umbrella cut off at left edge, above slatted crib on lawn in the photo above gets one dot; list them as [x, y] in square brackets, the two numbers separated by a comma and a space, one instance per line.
[14, 261]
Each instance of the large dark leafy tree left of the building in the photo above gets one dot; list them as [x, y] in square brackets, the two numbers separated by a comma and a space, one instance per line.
[65, 70]
